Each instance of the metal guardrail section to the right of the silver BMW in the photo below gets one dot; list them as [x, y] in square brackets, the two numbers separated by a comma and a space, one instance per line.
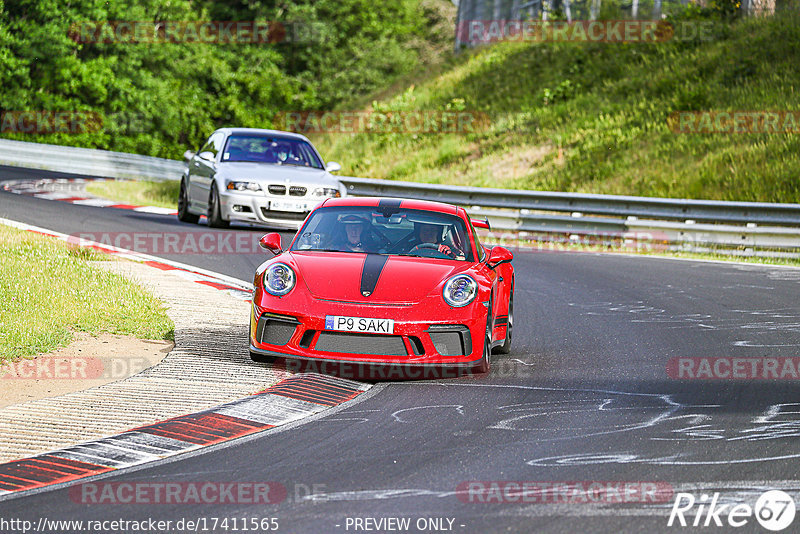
[691, 225]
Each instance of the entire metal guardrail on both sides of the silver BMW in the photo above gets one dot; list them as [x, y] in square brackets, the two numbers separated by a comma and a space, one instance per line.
[746, 228]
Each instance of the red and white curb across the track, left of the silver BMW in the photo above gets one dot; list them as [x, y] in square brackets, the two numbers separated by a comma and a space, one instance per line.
[73, 191]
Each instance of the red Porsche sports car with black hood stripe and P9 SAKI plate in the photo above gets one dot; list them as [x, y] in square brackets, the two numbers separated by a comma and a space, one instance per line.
[384, 282]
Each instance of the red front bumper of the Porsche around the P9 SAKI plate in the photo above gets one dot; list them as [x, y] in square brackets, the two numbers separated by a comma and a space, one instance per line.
[426, 334]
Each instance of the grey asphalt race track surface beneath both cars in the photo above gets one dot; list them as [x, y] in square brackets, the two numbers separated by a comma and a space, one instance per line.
[585, 396]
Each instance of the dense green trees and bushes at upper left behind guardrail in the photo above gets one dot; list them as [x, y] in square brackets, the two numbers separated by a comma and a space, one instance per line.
[161, 98]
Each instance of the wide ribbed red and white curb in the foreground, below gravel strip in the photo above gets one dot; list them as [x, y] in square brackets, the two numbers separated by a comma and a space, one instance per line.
[289, 400]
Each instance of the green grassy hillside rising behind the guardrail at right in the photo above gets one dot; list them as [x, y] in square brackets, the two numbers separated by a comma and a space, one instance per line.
[593, 118]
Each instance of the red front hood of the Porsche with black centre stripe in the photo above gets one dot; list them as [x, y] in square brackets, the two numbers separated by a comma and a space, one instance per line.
[401, 279]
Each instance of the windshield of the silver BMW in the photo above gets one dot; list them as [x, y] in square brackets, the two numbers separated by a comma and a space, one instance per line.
[270, 149]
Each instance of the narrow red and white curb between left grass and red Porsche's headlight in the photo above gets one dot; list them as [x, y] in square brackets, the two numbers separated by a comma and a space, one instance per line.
[233, 286]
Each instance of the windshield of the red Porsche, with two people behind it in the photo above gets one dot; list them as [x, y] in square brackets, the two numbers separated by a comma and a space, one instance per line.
[378, 230]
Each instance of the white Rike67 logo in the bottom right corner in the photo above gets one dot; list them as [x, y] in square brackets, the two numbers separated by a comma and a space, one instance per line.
[774, 510]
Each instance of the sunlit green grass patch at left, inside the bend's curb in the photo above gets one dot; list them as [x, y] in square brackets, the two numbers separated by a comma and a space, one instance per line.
[48, 290]
